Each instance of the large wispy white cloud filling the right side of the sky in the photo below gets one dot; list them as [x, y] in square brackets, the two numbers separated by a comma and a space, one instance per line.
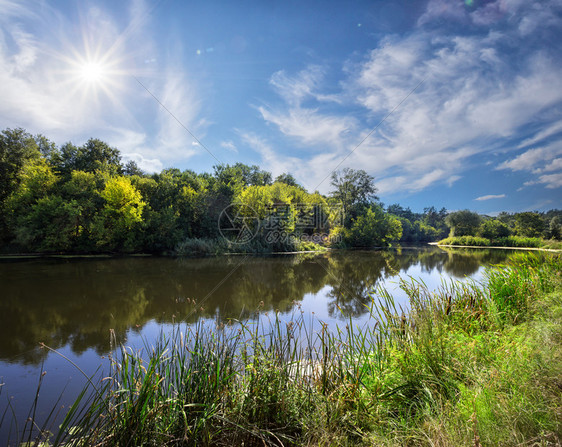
[476, 96]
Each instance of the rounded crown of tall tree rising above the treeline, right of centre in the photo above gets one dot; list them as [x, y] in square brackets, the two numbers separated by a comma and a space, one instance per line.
[353, 188]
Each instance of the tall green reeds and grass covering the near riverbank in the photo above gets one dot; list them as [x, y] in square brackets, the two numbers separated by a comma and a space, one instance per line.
[466, 365]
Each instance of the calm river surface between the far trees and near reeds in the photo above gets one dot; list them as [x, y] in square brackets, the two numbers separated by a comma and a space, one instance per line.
[72, 305]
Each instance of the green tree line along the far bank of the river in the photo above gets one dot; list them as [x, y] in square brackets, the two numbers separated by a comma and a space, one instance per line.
[84, 199]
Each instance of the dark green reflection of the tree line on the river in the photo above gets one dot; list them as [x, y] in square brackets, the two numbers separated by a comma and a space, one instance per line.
[76, 302]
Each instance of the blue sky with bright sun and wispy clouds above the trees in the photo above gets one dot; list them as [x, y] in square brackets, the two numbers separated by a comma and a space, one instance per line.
[446, 103]
